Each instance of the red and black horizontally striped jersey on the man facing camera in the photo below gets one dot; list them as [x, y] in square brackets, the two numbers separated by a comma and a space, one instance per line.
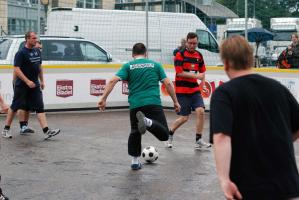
[188, 62]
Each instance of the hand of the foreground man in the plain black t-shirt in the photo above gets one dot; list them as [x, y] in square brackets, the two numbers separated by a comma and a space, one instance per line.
[230, 190]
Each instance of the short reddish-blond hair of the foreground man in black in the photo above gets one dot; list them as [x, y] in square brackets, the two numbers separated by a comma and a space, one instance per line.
[237, 51]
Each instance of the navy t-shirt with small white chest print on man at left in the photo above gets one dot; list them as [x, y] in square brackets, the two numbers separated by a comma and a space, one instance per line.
[29, 61]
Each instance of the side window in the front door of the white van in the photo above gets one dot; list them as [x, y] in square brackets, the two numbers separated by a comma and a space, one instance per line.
[206, 41]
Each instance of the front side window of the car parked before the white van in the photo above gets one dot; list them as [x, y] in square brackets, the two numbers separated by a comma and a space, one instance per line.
[92, 52]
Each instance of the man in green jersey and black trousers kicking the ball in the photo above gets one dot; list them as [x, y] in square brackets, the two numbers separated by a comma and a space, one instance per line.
[146, 112]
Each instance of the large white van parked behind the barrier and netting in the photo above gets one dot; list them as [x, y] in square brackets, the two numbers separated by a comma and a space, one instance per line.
[118, 30]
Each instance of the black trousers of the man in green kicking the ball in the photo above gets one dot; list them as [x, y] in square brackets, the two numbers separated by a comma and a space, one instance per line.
[159, 127]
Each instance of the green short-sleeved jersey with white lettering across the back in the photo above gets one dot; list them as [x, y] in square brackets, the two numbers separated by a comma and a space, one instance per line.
[143, 76]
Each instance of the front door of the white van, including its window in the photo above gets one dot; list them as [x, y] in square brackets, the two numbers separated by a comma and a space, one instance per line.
[208, 47]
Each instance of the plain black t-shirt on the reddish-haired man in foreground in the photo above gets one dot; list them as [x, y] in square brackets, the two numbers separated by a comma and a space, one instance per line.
[260, 115]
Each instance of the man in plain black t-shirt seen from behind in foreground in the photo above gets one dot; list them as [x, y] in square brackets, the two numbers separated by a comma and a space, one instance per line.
[254, 121]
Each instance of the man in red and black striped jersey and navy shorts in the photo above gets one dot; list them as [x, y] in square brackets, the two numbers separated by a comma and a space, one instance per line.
[189, 68]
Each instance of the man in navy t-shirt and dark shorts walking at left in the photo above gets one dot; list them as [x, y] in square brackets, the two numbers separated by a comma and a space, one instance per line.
[30, 82]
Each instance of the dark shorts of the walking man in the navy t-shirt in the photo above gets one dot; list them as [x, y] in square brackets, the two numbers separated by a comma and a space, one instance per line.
[26, 98]
